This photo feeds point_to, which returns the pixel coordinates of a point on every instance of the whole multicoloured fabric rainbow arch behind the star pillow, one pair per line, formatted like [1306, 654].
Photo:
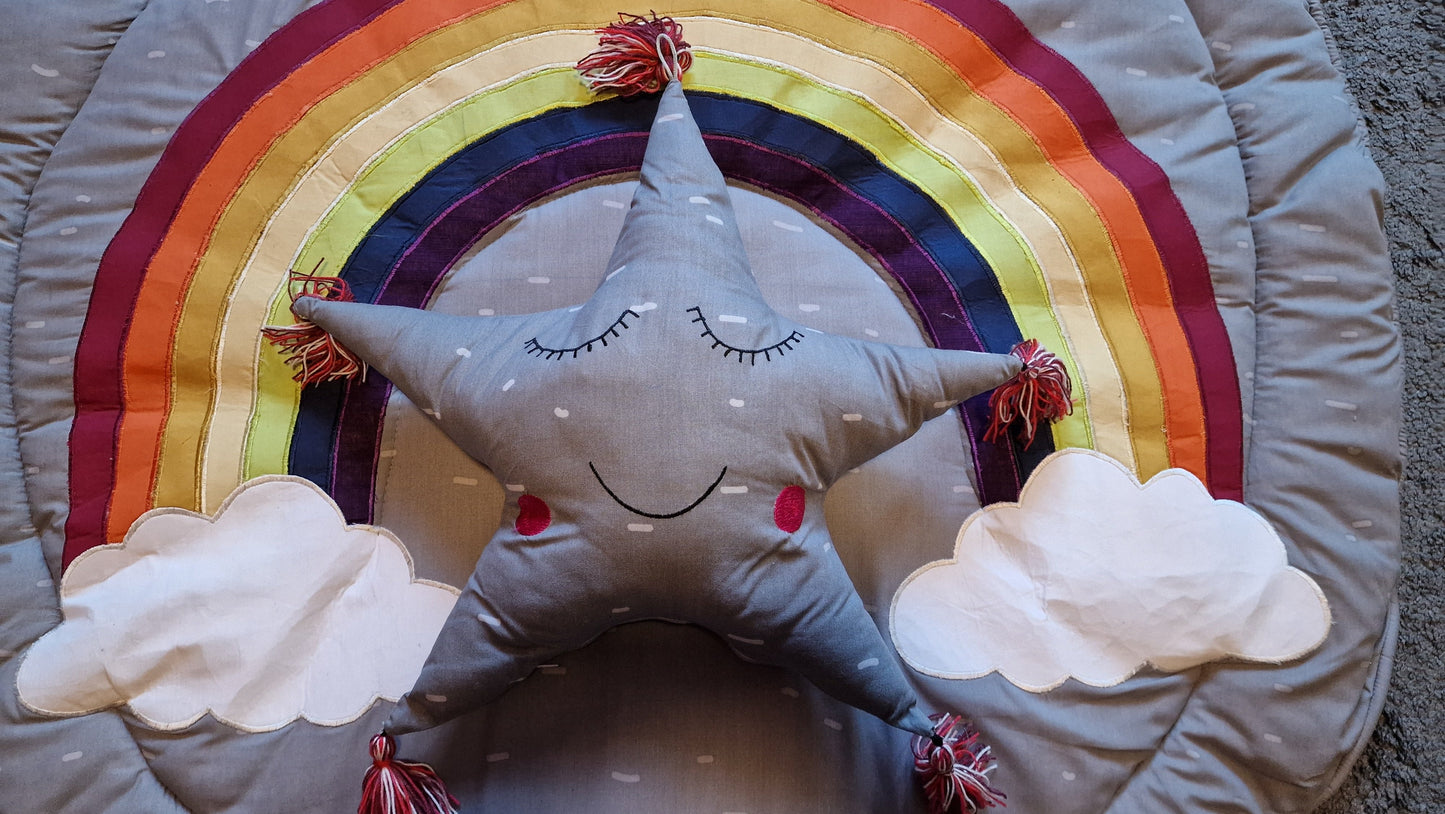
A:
[387, 137]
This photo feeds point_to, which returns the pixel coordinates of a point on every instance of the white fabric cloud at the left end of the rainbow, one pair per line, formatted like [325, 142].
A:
[271, 612]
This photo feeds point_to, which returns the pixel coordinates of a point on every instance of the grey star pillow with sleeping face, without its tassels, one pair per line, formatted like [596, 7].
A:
[676, 439]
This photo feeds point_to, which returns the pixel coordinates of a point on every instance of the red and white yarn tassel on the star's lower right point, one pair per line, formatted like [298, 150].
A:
[954, 767]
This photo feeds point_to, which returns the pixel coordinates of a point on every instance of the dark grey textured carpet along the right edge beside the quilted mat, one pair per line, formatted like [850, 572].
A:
[1394, 56]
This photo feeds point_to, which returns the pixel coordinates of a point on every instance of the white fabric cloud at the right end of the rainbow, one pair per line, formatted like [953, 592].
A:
[1093, 576]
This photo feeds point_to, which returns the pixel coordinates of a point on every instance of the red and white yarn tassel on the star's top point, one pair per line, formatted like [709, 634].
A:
[638, 56]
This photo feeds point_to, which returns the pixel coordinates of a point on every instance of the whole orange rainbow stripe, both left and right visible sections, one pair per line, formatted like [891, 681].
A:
[150, 345]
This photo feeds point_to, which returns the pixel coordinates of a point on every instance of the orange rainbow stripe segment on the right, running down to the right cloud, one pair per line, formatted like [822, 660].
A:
[1060, 141]
